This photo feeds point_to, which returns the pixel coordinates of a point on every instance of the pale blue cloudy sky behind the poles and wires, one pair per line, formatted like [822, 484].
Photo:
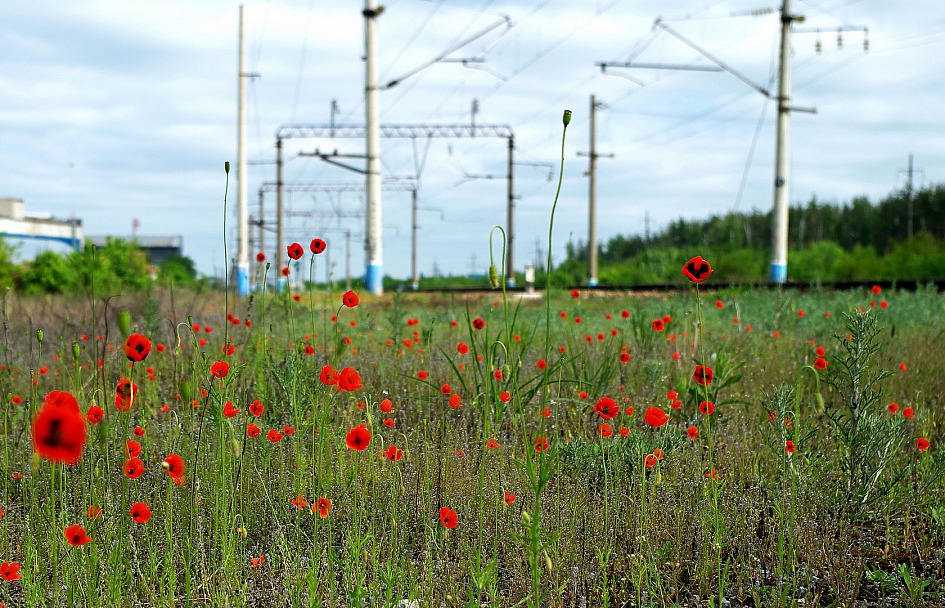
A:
[114, 111]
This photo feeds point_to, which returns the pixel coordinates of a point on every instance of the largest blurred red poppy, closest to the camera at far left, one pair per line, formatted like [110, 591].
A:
[59, 432]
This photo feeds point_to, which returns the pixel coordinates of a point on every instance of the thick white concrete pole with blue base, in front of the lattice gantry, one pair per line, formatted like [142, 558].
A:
[374, 274]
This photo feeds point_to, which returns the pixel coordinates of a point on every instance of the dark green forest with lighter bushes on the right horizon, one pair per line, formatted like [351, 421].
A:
[858, 240]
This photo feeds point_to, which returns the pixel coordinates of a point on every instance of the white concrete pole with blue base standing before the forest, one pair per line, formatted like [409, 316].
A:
[782, 161]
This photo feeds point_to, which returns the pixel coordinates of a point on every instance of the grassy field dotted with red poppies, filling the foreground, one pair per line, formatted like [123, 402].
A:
[521, 463]
